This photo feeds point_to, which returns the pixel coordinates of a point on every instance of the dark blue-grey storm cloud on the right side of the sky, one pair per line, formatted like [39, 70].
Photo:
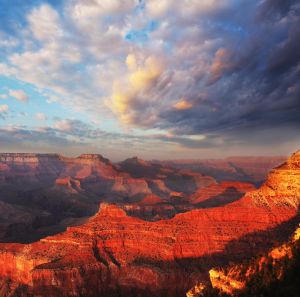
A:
[255, 86]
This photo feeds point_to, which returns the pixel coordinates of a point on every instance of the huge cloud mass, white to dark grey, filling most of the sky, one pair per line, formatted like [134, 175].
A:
[222, 69]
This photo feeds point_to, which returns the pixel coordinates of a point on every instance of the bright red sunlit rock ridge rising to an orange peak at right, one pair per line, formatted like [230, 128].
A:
[114, 254]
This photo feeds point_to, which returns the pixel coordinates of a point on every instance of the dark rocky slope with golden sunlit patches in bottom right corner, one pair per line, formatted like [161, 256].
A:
[275, 273]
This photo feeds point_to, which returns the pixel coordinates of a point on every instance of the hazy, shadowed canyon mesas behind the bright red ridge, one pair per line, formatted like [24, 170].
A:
[42, 194]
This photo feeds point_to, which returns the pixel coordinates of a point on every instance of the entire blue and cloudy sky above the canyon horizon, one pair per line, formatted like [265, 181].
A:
[158, 79]
